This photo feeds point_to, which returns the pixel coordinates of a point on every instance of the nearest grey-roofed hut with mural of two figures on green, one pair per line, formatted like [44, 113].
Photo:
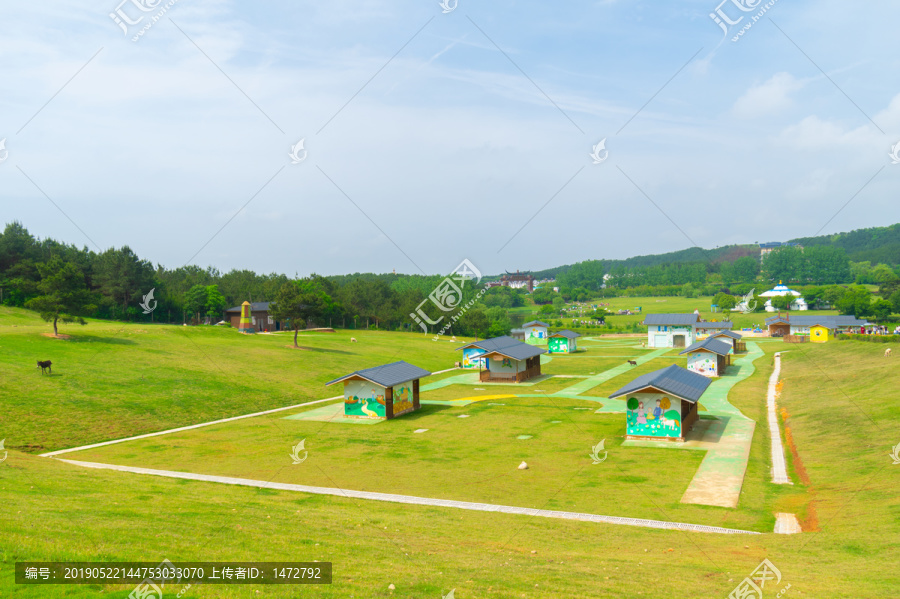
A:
[663, 404]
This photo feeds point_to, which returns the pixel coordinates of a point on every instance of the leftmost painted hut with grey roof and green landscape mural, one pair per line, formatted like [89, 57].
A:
[382, 392]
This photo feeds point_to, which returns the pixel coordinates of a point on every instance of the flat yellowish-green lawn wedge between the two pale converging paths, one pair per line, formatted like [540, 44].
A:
[467, 459]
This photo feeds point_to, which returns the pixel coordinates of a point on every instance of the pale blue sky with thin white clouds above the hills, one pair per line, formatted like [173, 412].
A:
[474, 137]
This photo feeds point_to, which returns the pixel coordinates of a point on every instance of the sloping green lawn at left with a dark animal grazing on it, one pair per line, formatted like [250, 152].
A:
[112, 380]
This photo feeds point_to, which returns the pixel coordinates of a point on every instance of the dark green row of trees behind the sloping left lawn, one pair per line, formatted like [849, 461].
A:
[65, 283]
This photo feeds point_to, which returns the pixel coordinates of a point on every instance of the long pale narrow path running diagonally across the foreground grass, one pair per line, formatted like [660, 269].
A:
[409, 499]
